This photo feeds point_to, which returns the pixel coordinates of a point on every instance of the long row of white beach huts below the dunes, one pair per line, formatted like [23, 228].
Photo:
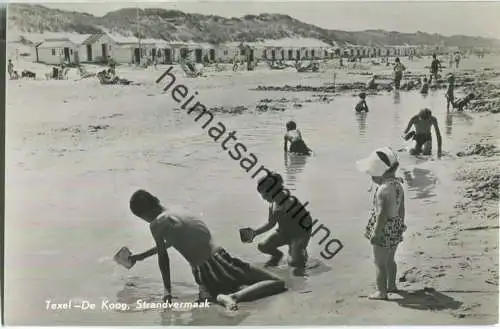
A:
[102, 47]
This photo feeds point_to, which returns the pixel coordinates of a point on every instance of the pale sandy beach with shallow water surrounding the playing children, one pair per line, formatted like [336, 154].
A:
[76, 150]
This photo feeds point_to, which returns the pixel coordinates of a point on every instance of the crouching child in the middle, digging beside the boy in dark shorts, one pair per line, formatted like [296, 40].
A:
[294, 227]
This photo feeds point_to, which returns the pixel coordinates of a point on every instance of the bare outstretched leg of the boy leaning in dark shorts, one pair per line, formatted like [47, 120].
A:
[262, 284]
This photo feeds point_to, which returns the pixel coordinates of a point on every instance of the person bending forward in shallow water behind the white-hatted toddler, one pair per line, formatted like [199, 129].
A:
[422, 135]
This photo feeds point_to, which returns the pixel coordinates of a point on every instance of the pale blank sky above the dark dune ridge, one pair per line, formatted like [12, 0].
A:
[446, 18]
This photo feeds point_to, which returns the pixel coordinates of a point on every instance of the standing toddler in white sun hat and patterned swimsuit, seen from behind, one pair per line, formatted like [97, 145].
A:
[386, 223]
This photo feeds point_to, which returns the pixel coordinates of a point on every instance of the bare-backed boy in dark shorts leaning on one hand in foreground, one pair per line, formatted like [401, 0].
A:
[219, 275]
